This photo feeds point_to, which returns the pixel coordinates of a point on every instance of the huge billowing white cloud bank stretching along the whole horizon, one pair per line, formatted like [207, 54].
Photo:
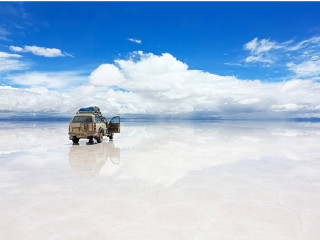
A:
[161, 85]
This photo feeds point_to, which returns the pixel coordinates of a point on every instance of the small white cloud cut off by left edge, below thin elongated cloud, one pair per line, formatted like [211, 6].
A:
[10, 62]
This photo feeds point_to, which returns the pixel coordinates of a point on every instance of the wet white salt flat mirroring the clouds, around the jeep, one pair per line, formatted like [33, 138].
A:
[158, 180]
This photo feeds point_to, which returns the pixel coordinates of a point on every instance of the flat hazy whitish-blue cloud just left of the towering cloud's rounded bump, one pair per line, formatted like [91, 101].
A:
[48, 79]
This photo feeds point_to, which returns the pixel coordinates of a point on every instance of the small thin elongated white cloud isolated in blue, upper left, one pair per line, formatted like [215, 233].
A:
[40, 51]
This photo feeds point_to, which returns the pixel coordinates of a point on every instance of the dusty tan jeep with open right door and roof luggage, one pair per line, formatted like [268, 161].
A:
[89, 123]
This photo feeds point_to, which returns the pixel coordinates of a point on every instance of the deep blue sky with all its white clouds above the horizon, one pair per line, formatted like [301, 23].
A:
[160, 59]
